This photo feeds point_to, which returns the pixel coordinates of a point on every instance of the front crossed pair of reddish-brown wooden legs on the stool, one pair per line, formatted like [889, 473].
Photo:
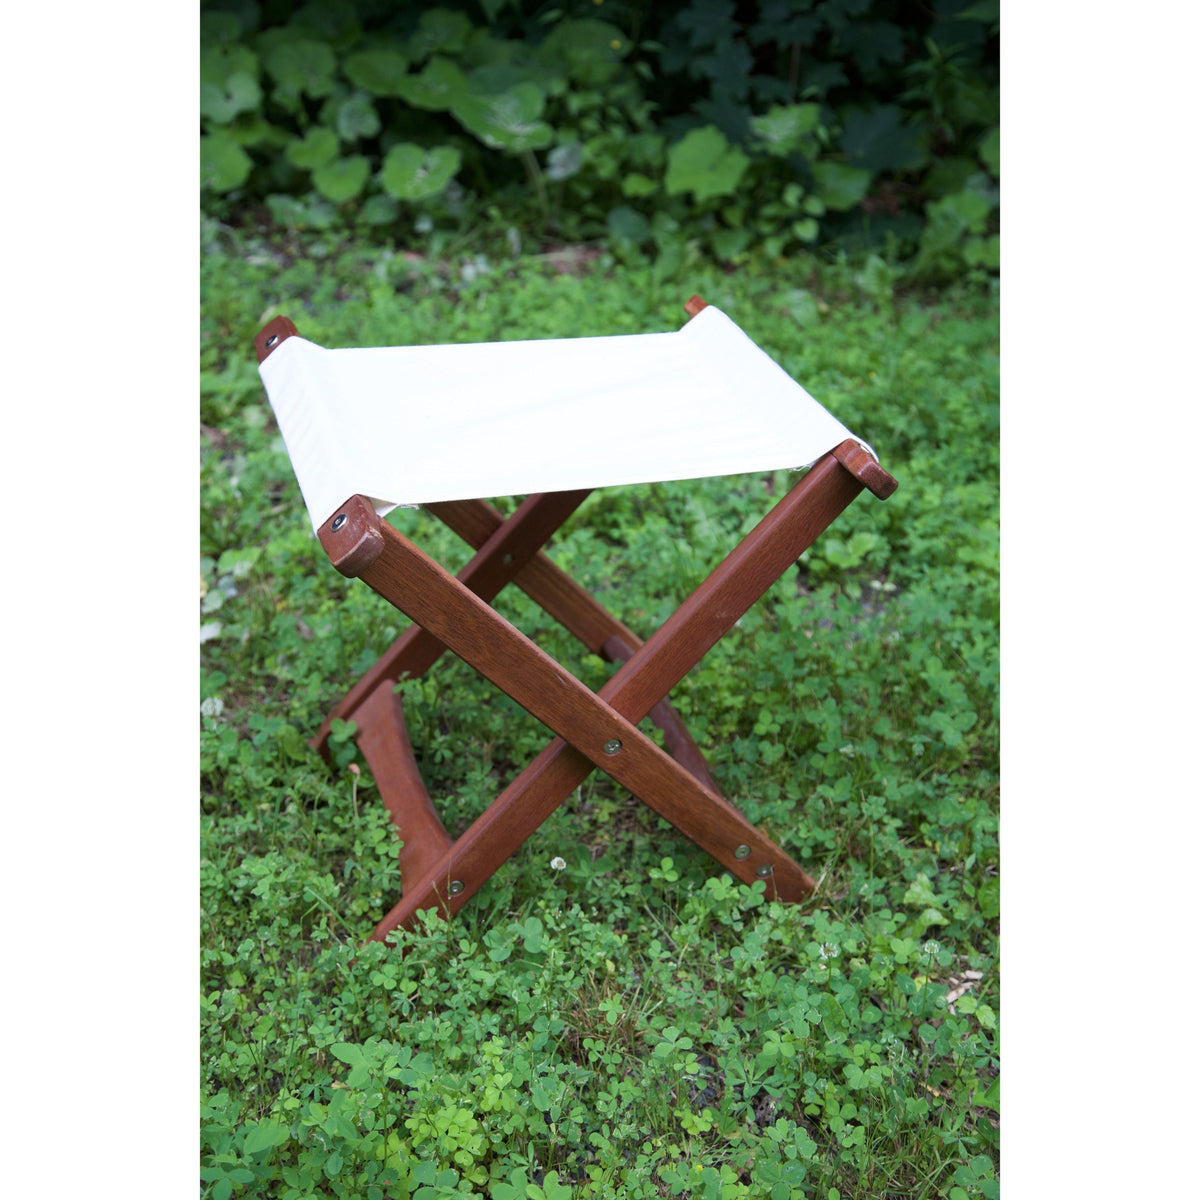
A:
[596, 730]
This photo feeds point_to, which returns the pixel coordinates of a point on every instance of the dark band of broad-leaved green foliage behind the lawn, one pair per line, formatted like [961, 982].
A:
[735, 128]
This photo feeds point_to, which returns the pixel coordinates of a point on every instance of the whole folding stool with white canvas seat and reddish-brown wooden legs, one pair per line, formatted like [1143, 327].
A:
[439, 427]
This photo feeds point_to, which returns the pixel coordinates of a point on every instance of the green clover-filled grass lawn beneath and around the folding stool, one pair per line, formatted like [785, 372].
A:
[634, 1024]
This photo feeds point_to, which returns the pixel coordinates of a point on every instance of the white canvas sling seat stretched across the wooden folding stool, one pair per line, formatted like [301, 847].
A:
[422, 424]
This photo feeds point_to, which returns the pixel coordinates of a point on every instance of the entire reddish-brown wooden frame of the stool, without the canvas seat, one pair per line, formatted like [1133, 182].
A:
[592, 729]
